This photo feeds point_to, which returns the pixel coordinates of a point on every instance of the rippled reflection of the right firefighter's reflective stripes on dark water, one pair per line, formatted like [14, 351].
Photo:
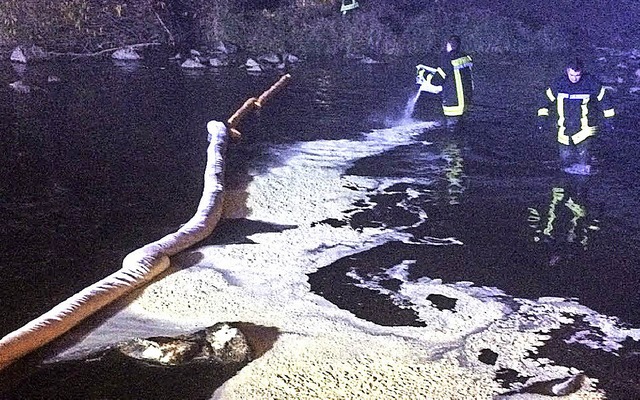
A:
[565, 211]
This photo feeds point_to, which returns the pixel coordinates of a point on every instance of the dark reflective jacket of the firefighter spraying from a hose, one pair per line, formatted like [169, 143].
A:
[454, 75]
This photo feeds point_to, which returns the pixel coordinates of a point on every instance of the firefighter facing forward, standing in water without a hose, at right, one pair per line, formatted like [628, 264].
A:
[581, 104]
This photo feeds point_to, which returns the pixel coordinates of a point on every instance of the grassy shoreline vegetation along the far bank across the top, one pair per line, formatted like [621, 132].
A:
[312, 28]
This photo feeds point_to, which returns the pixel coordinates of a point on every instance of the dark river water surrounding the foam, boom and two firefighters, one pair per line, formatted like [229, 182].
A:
[110, 157]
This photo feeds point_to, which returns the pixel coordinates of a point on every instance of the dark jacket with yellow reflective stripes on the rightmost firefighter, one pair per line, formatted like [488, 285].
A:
[579, 107]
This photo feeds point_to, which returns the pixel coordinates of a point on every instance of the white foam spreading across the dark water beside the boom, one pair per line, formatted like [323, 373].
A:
[325, 351]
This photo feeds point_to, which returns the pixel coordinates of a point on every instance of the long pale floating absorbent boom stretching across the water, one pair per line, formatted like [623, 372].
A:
[144, 264]
